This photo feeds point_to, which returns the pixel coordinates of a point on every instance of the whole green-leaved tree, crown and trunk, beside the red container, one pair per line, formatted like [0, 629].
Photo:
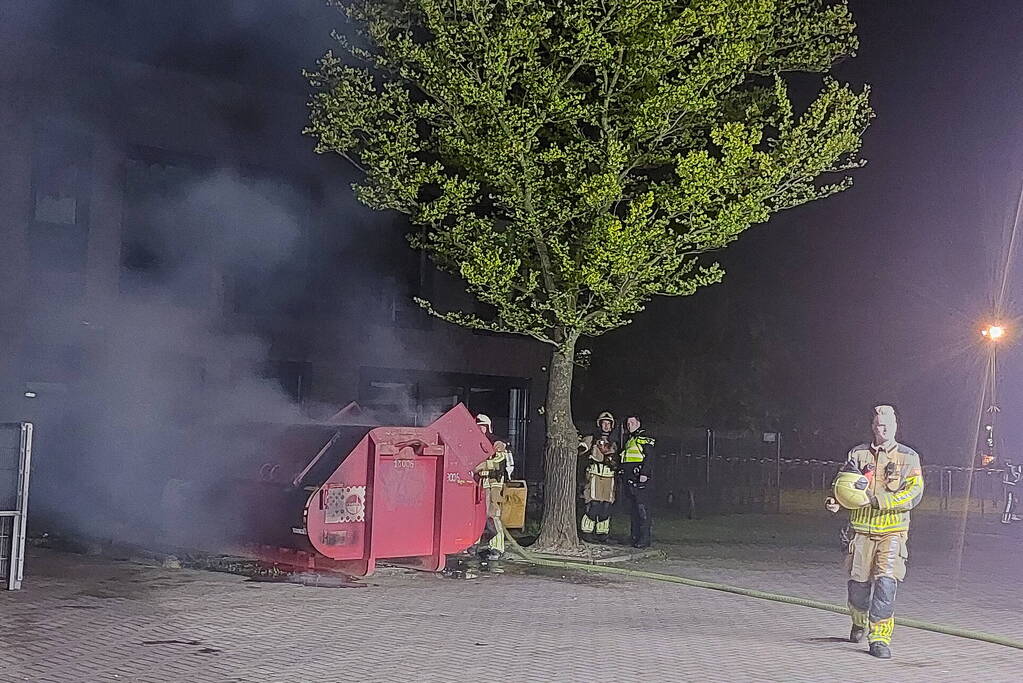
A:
[570, 160]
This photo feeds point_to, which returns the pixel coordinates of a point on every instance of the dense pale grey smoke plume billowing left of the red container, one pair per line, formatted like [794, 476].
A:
[167, 368]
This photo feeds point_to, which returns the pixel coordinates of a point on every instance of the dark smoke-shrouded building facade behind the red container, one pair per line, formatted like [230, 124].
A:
[175, 255]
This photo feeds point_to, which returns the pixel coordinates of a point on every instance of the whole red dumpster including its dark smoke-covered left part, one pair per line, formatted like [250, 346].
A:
[334, 495]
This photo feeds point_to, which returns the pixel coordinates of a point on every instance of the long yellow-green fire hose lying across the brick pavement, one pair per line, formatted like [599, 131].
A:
[970, 634]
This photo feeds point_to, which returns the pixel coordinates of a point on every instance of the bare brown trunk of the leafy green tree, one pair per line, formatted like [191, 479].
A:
[558, 531]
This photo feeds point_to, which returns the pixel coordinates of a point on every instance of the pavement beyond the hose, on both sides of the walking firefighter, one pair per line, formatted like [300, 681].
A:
[773, 559]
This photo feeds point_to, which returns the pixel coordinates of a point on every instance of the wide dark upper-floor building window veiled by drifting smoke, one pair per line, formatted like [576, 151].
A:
[189, 222]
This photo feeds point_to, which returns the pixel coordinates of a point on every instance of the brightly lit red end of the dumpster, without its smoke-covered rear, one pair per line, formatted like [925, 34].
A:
[405, 494]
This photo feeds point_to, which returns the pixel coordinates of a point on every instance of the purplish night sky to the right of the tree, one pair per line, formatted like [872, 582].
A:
[878, 295]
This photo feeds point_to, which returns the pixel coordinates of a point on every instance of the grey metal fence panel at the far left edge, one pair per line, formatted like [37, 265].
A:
[16, 464]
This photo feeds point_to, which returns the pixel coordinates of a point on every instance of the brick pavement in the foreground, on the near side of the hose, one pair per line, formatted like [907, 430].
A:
[83, 619]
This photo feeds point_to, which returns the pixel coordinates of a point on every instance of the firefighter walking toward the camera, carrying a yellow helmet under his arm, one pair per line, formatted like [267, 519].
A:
[881, 482]
